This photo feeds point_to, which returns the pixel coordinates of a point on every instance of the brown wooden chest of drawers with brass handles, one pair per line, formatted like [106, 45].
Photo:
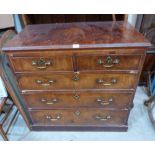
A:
[77, 76]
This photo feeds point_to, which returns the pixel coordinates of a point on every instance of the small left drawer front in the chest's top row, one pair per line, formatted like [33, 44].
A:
[51, 63]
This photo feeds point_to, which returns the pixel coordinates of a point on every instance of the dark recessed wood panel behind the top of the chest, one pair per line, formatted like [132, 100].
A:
[69, 18]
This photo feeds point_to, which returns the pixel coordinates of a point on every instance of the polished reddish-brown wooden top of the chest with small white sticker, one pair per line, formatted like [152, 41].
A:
[77, 35]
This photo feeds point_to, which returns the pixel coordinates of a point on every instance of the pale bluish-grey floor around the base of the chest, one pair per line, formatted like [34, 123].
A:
[140, 128]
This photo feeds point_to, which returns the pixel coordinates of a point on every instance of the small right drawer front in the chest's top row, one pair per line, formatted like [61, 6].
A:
[108, 62]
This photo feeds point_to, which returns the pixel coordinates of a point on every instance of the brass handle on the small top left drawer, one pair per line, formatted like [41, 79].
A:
[41, 63]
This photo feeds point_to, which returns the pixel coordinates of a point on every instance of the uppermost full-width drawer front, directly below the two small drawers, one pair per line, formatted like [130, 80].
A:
[77, 81]
